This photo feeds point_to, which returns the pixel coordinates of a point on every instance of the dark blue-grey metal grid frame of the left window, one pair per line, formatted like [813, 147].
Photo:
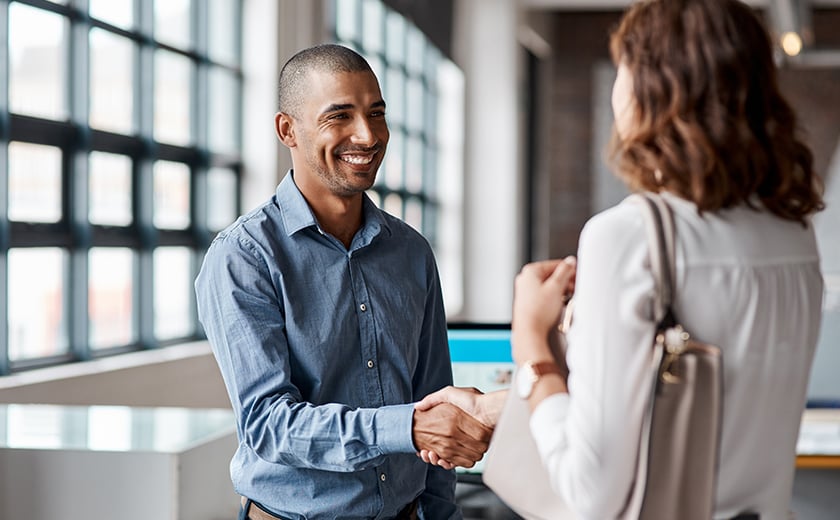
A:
[74, 233]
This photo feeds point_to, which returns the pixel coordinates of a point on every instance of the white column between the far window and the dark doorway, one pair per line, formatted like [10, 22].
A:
[487, 50]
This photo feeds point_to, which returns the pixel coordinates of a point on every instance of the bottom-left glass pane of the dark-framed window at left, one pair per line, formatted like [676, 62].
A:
[36, 295]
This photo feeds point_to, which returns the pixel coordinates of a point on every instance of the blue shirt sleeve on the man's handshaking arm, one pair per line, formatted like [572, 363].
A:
[239, 310]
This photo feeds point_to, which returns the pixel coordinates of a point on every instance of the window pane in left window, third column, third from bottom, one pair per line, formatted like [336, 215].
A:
[172, 98]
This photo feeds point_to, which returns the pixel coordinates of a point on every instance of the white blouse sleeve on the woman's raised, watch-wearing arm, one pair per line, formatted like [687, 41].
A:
[589, 438]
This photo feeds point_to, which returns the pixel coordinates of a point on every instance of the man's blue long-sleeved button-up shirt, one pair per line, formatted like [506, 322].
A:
[323, 350]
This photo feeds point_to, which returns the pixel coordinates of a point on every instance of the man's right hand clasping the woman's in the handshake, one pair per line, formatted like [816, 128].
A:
[451, 433]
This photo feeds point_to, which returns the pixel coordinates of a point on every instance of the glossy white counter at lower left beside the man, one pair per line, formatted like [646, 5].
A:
[82, 462]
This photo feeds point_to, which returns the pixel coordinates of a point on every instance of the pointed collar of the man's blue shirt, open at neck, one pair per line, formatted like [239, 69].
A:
[297, 214]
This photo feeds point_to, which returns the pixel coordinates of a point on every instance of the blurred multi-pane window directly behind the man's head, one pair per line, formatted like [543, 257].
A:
[422, 176]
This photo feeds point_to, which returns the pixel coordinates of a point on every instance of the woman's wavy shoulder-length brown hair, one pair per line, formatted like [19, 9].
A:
[708, 111]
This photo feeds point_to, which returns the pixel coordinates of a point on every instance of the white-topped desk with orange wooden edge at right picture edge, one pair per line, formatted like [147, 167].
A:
[819, 439]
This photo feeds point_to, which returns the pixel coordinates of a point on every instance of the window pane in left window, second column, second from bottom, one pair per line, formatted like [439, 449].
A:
[110, 189]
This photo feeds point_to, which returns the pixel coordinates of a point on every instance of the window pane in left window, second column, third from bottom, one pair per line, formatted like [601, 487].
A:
[111, 82]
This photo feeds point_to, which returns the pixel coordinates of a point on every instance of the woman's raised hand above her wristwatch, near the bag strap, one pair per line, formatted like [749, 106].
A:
[541, 291]
